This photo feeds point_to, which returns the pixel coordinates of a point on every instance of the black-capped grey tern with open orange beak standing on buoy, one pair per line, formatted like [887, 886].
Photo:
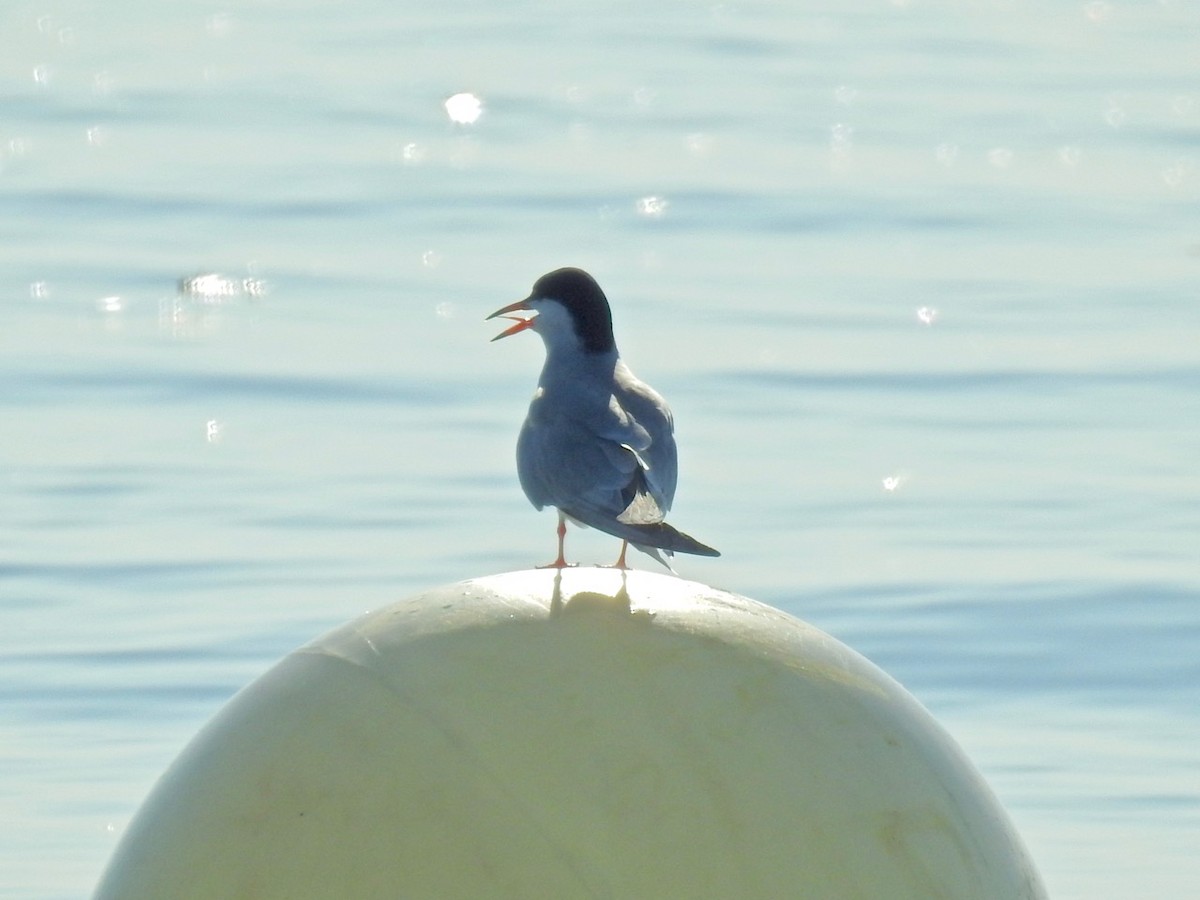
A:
[598, 443]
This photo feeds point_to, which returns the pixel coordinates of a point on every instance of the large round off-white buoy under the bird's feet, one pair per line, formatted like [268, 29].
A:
[573, 735]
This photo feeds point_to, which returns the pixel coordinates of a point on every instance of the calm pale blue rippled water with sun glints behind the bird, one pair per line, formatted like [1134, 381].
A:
[920, 280]
